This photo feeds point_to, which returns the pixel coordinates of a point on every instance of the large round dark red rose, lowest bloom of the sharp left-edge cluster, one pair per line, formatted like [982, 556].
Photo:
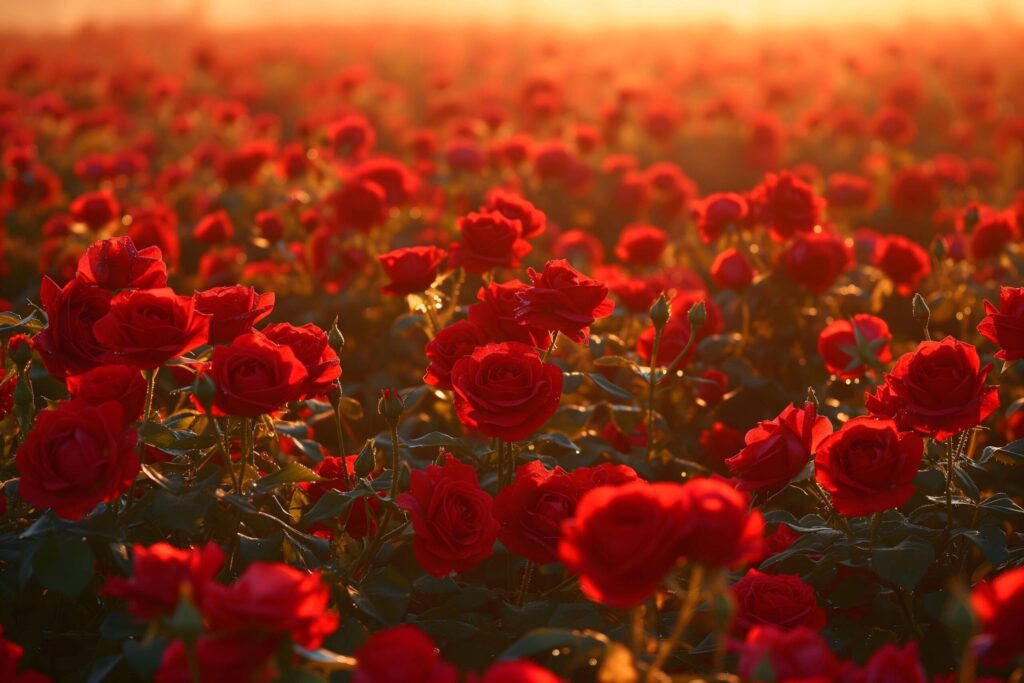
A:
[76, 457]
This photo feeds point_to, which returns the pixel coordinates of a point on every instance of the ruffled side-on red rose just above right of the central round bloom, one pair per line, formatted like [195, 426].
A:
[565, 301]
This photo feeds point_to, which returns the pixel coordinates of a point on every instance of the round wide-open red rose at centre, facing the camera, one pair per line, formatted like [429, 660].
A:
[505, 391]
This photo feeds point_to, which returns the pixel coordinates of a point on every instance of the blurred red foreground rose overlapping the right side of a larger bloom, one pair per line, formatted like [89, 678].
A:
[726, 532]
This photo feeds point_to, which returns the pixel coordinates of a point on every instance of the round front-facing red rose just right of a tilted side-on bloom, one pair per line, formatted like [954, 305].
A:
[869, 466]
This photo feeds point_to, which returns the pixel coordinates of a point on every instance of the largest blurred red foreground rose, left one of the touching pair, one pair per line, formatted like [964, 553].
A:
[623, 541]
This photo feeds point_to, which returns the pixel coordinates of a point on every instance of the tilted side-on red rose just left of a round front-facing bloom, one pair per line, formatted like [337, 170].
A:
[778, 450]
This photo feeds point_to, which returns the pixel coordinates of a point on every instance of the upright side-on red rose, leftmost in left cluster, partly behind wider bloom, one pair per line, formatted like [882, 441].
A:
[69, 345]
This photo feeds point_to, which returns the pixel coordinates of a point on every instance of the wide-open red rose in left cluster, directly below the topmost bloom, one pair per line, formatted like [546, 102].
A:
[148, 328]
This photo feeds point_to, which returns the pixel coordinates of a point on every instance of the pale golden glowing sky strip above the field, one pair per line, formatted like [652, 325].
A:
[73, 15]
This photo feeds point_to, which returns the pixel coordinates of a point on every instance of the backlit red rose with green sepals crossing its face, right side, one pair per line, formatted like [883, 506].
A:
[844, 346]
